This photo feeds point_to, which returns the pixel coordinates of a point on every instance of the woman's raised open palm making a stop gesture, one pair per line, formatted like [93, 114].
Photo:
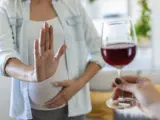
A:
[45, 61]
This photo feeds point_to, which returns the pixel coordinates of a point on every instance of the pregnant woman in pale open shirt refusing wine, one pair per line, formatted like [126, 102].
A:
[51, 50]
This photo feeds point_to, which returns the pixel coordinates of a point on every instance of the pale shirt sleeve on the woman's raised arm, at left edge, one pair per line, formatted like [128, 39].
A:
[7, 45]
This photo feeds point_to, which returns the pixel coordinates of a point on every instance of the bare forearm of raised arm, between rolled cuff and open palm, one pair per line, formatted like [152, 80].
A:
[15, 68]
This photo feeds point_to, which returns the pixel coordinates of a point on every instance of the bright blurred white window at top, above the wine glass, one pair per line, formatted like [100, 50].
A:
[107, 8]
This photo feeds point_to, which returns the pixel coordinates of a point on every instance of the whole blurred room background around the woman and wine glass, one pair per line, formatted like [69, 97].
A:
[145, 16]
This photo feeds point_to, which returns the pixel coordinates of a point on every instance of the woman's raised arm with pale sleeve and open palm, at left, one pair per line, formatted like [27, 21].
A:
[45, 62]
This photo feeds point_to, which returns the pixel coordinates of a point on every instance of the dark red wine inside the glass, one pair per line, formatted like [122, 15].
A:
[119, 54]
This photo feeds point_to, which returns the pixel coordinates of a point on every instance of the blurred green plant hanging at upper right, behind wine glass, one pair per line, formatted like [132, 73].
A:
[143, 25]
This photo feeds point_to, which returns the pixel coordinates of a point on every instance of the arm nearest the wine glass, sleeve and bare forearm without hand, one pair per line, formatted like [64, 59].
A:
[93, 42]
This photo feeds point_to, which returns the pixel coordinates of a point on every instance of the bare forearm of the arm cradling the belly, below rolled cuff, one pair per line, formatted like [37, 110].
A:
[90, 72]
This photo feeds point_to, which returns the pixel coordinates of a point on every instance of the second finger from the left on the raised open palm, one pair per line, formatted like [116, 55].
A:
[42, 41]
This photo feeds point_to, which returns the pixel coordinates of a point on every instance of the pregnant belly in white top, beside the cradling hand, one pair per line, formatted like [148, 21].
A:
[40, 93]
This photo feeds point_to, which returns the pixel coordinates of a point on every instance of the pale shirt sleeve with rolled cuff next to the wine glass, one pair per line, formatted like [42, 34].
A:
[92, 38]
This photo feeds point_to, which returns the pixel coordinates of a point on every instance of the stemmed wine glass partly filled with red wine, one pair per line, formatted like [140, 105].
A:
[118, 48]
